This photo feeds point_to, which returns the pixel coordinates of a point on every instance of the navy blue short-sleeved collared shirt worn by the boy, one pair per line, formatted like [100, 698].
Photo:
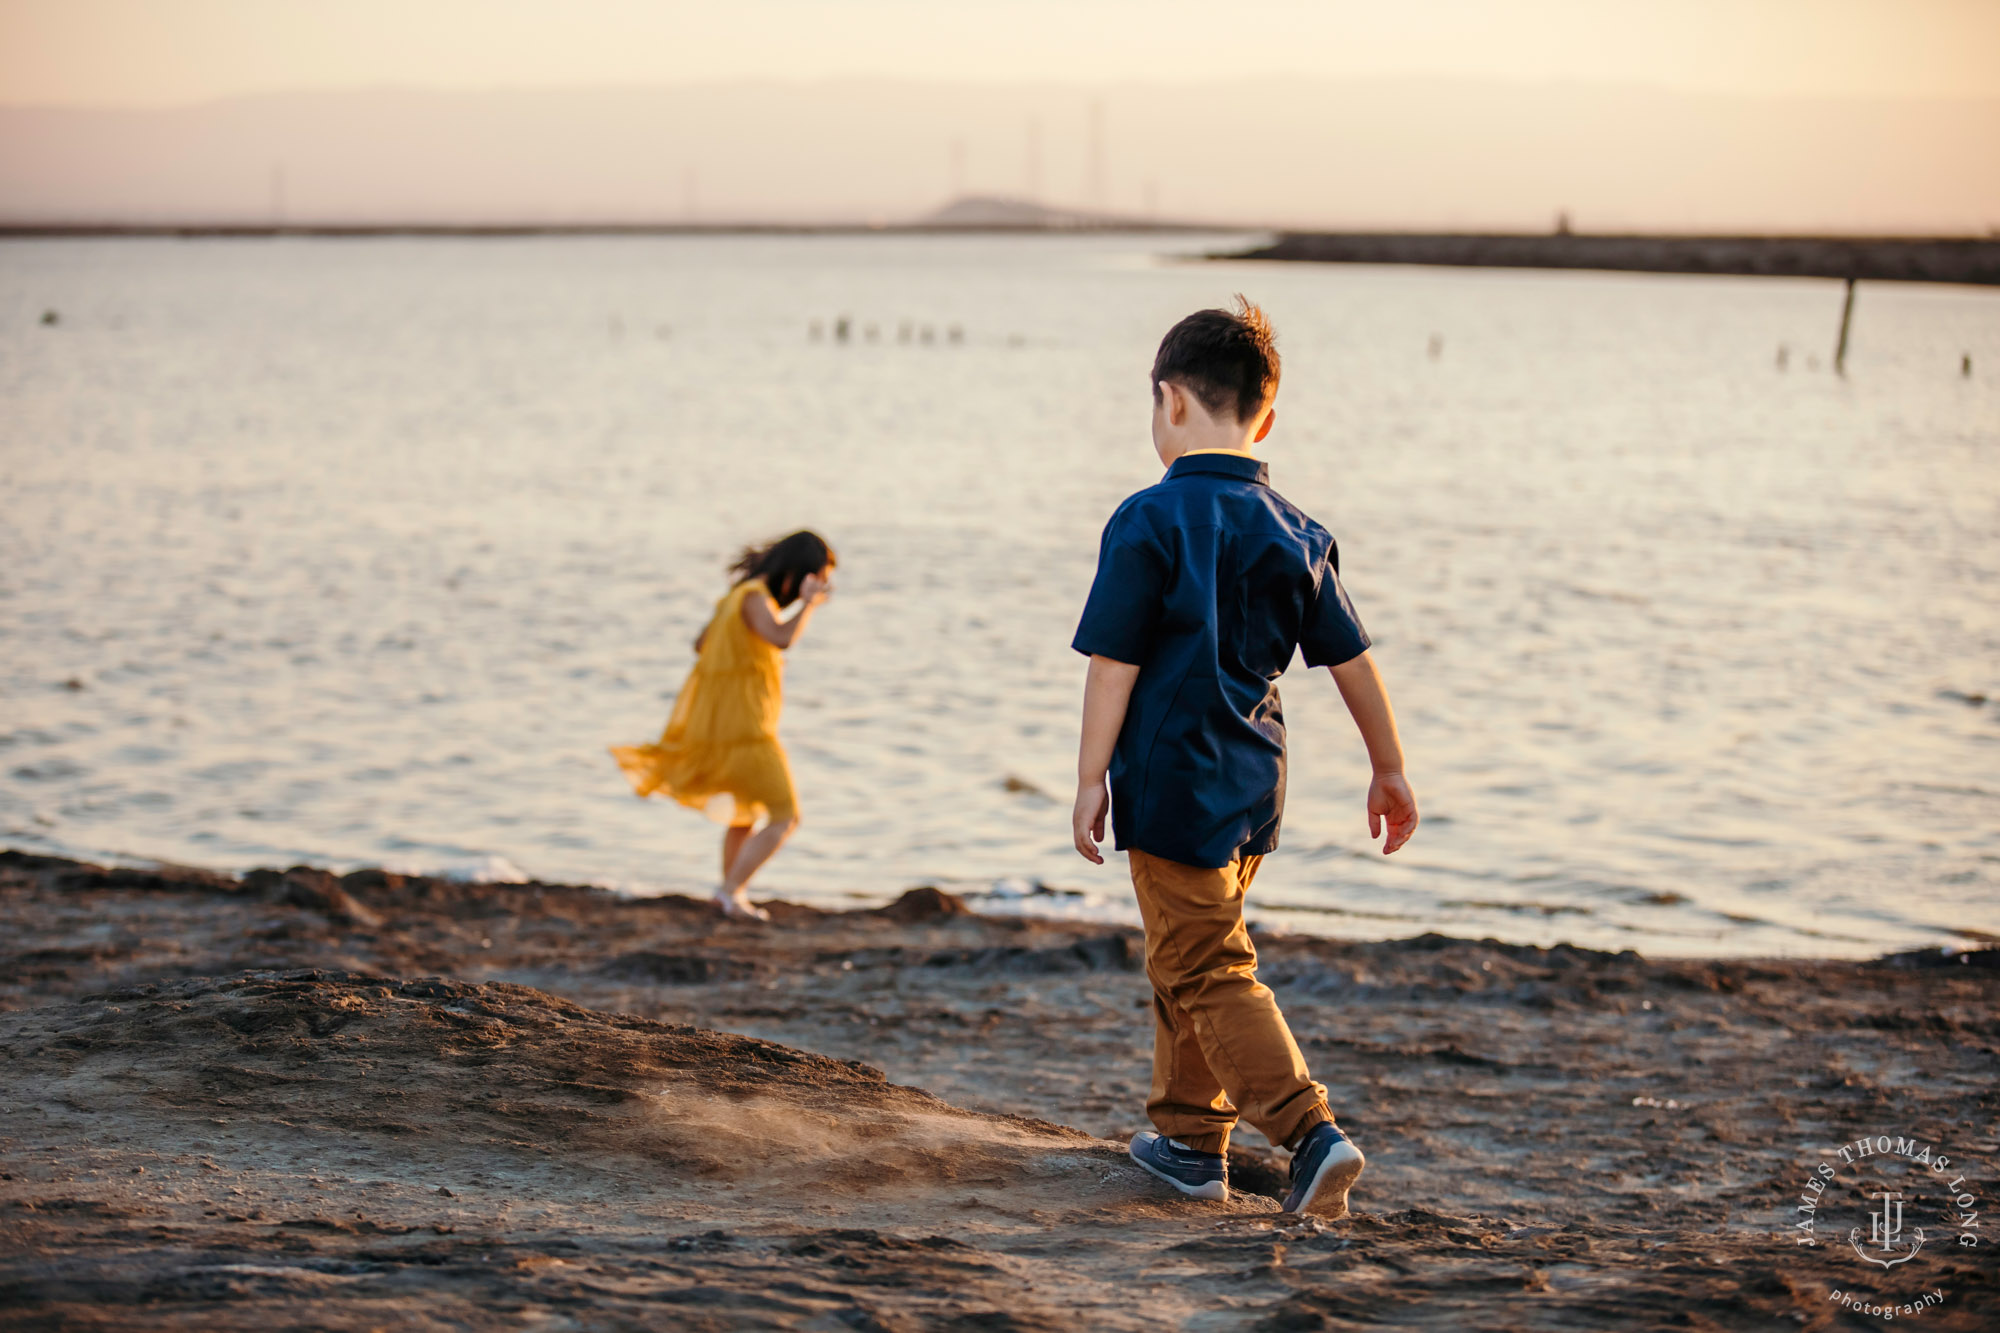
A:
[1207, 583]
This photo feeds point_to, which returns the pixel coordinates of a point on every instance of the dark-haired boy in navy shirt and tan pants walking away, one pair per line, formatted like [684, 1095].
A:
[1207, 583]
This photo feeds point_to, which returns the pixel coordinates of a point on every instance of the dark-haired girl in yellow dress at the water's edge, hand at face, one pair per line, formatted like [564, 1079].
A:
[721, 748]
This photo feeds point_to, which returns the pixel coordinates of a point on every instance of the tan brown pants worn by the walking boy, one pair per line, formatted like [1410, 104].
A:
[1221, 1048]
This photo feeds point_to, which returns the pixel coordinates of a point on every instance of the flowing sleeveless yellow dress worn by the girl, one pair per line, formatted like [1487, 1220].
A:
[721, 748]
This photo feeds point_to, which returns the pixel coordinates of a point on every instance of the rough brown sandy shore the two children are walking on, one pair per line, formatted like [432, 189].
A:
[381, 1102]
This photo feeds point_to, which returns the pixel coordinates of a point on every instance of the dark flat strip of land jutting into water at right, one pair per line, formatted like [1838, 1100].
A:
[1877, 259]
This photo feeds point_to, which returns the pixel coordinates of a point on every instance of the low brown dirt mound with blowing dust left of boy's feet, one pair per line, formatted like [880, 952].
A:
[443, 1066]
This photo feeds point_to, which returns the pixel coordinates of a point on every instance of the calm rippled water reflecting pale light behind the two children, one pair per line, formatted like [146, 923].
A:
[363, 551]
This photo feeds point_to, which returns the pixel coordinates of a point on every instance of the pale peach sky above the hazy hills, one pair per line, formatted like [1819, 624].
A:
[163, 53]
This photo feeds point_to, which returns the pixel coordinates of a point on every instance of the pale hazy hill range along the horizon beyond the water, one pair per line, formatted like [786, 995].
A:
[1285, 153]
